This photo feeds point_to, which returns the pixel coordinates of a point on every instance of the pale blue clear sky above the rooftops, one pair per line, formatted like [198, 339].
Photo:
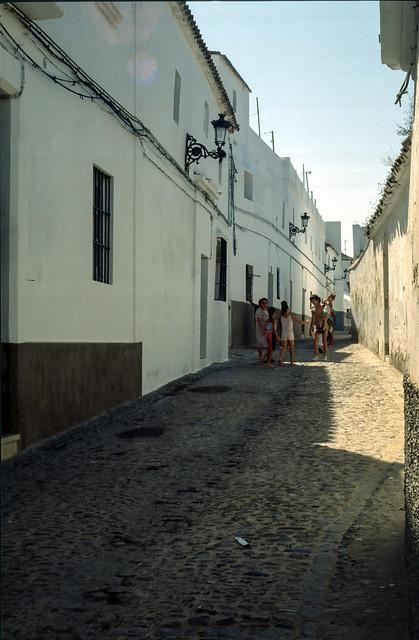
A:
[316, 70]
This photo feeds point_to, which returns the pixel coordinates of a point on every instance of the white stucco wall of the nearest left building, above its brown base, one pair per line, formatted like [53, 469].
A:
[161, 223]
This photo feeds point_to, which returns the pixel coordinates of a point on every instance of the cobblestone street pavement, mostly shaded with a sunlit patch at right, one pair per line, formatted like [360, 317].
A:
[125, 527]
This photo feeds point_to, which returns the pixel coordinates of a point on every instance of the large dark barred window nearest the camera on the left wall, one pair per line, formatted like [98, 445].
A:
[102, 226]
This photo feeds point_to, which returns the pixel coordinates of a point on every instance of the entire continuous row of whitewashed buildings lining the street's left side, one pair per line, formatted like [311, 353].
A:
[122, 267]
